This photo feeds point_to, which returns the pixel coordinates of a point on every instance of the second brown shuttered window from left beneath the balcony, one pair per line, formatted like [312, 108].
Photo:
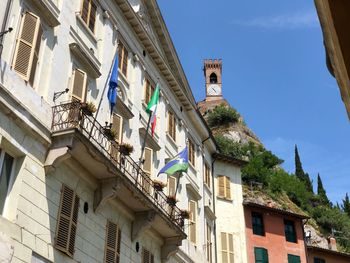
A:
[113, 238]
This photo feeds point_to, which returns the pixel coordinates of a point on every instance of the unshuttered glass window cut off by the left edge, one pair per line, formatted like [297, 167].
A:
[6, 164]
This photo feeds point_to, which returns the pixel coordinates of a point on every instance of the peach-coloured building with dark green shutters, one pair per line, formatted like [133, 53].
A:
[274, 235]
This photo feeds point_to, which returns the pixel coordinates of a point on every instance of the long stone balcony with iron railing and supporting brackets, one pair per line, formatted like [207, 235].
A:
[78, 136]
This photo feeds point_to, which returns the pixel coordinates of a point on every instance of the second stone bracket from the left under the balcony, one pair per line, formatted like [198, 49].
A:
[106, 190]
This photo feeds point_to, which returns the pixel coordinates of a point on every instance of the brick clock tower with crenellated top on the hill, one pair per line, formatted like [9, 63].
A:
[213, 84]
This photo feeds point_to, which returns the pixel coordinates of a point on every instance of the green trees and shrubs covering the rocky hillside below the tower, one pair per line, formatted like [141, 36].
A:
[264, 169]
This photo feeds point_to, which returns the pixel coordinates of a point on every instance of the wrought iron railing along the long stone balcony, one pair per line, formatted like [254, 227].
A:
[72, 116]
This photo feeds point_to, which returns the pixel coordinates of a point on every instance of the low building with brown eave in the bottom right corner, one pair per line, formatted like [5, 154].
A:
[322, 255]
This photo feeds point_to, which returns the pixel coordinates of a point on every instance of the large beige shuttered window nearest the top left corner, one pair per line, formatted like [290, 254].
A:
[27, 47]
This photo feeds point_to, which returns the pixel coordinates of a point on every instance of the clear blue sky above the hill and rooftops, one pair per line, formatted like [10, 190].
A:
[274, 74]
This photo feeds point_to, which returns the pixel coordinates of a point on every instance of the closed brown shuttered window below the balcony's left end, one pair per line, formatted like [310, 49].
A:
[67, 220]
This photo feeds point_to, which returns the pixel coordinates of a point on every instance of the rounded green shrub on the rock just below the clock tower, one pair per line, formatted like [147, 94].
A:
[222, 115]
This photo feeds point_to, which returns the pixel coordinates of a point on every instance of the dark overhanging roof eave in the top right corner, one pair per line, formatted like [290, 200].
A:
[334, 19]
